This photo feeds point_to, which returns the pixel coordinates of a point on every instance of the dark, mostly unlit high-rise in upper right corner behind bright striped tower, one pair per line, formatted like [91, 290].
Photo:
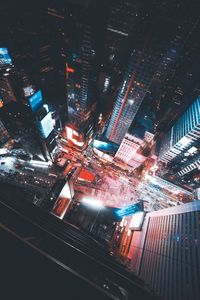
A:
[181, 85]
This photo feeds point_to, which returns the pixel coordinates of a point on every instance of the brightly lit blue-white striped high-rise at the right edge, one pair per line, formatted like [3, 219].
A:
[180, 148]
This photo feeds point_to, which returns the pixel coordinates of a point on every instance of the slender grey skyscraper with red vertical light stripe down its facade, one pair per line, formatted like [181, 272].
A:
[135, 85]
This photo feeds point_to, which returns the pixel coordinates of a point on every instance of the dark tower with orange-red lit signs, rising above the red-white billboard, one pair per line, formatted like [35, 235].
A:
[83, 33]
